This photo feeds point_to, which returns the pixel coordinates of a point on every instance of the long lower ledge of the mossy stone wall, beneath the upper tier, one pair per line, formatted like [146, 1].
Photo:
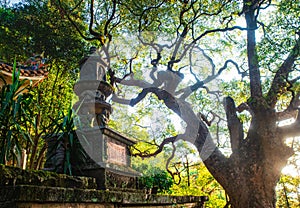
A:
[44, 194]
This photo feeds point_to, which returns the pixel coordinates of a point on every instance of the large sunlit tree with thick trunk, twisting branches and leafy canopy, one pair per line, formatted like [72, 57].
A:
[206, 30]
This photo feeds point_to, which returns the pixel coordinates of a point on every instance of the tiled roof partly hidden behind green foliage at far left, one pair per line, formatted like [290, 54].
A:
[24, 71]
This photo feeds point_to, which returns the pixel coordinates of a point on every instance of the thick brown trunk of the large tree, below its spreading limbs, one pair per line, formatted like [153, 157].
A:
[250, 175]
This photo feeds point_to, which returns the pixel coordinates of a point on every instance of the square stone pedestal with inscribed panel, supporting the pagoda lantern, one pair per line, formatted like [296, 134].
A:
[109, 160]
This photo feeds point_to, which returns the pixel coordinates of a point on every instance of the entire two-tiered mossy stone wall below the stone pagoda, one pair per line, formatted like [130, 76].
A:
[41, 189]
